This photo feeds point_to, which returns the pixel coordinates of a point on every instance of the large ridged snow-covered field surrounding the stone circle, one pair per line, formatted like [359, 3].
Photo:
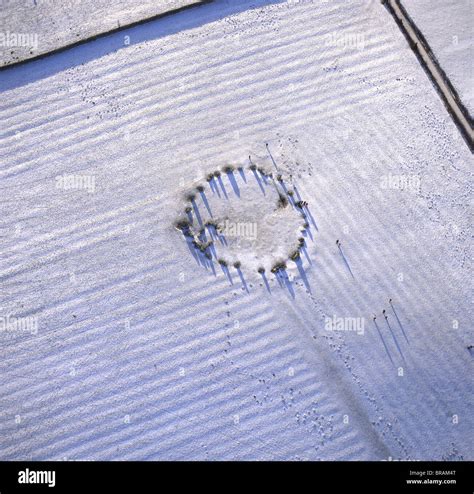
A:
[121, 341]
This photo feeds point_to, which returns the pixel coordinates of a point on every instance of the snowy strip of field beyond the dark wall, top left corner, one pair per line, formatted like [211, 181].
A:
[29, 28]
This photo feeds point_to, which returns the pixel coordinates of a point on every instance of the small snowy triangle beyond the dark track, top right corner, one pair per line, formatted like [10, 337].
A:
[448, 27]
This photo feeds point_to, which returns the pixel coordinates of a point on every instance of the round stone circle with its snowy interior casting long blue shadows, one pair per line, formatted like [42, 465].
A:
[244, 215]
